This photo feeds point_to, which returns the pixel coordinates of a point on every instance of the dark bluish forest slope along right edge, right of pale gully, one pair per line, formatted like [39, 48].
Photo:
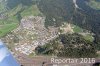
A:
[89, 19]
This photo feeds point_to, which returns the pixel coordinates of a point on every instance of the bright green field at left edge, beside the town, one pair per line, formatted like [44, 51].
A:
[7, 25]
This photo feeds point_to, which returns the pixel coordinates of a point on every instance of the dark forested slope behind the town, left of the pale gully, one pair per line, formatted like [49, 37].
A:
[56, 11]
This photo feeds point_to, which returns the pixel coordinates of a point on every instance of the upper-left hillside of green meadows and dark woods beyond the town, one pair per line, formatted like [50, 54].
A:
[12, 11]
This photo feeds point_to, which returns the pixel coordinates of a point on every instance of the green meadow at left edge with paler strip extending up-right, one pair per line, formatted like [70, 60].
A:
[9, 23]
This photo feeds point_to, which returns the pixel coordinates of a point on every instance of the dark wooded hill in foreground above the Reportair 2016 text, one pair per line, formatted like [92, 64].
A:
[68, 45]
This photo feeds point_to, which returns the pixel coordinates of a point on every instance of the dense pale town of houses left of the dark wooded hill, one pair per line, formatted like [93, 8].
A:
[30, 34]
